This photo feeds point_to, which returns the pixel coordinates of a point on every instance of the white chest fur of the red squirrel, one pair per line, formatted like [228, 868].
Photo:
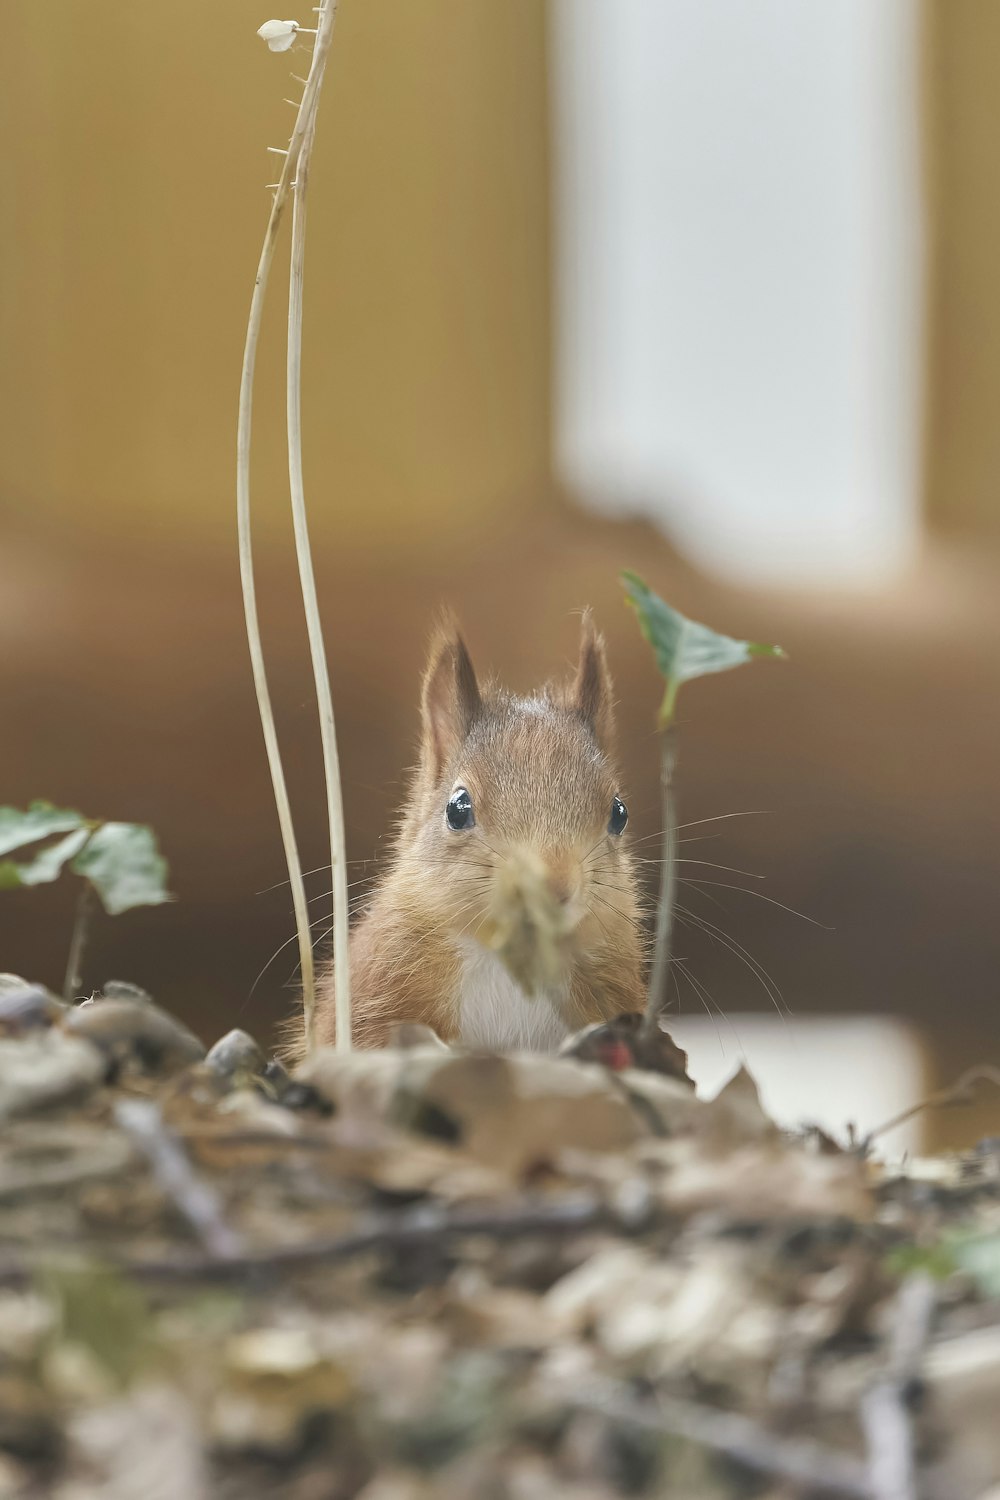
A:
[496, 1013]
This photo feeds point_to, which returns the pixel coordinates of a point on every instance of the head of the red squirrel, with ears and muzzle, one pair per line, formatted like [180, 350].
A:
[518, 824]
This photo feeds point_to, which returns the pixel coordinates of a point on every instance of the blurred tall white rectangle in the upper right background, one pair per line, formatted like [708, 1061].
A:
[738, 275]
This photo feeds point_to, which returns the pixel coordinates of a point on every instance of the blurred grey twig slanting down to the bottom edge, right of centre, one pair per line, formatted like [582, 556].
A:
[743, 1441]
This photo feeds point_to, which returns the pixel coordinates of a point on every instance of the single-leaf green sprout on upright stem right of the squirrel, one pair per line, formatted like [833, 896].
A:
[684, 650]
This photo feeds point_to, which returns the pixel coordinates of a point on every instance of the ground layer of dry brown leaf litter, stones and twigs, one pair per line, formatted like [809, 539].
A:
[422, 1273]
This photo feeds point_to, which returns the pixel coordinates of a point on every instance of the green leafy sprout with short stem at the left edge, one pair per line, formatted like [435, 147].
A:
[121, 866]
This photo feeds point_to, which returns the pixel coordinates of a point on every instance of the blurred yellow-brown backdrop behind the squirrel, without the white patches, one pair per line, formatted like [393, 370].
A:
[134, 205]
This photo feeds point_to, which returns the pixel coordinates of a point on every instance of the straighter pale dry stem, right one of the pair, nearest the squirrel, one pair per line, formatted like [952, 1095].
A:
[320, 671]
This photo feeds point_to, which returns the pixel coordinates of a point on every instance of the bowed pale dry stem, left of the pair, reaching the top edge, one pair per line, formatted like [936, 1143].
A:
[290, 166]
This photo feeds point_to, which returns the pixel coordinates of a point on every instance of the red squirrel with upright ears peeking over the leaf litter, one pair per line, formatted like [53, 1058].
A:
[510, 871]
